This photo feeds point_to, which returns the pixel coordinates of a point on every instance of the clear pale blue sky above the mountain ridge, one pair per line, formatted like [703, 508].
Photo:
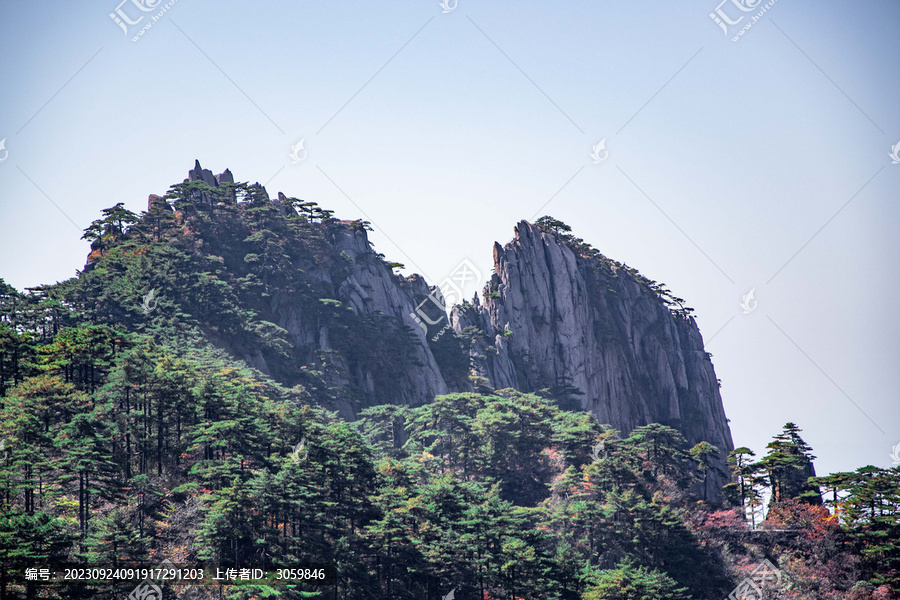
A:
[759, 164]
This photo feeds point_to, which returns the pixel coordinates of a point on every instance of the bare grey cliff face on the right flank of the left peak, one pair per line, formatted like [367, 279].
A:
[366, 286]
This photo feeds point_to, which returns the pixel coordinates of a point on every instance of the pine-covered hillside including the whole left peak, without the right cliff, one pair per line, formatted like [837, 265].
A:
[211, 390]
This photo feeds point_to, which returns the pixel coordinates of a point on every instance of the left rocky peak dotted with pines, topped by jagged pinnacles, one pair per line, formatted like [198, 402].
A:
[309, 300]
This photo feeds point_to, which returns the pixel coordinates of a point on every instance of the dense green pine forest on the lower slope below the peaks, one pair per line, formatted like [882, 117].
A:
[194, 457]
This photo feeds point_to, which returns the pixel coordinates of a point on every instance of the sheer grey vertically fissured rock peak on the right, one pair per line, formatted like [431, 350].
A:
[580, 321]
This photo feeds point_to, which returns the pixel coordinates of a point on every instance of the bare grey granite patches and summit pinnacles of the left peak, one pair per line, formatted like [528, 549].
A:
[345, 269]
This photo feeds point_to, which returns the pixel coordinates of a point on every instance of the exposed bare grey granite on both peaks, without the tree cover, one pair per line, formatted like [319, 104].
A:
[556, 315]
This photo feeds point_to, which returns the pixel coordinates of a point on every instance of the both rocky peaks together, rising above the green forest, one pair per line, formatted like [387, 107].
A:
[556, 314]
